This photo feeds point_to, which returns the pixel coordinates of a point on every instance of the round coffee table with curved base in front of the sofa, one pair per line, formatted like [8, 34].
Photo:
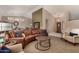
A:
[43, 43]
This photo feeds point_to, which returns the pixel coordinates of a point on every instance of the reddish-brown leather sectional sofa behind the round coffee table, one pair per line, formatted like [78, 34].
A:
[30, 35]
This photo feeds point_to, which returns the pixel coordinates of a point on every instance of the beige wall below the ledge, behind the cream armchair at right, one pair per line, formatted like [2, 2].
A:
[69, 25]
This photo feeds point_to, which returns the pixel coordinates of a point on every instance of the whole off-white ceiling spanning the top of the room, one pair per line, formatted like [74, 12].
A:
[26, 10]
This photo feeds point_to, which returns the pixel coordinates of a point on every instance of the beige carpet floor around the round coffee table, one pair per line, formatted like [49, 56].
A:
[57, 46]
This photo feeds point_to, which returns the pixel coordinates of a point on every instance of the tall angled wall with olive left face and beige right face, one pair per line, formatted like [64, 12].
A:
[41, 16]
